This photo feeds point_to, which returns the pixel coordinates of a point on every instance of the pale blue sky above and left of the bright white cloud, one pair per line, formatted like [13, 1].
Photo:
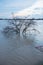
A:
[7, 7]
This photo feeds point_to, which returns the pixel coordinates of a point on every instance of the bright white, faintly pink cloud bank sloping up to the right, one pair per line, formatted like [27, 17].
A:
[31, 10]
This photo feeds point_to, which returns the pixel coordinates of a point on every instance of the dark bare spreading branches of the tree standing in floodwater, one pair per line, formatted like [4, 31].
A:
[16, 25]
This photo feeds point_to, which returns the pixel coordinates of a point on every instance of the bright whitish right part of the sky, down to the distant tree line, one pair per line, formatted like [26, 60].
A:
[36, 9]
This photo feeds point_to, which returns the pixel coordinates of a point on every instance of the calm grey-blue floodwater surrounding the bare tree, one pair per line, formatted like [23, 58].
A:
[15, 50]
